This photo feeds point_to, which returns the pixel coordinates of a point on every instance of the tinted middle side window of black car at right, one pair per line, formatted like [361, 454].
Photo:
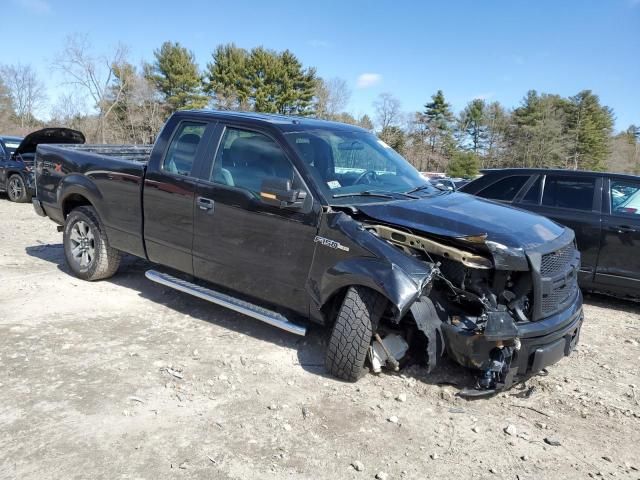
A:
[567, 191]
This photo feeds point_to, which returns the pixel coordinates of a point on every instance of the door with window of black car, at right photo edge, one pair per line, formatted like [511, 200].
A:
[619, 261]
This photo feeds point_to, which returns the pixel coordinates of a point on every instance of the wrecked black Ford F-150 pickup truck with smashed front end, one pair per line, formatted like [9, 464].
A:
[287, 219]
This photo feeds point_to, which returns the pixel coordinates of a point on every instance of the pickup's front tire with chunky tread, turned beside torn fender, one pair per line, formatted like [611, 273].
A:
[352, 332]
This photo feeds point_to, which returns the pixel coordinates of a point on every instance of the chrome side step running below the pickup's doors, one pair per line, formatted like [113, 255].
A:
[227, 301]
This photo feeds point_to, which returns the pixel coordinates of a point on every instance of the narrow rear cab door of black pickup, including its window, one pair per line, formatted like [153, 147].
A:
[169, 193]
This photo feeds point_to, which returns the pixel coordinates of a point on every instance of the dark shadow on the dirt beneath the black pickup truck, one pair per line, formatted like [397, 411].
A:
[310, 350]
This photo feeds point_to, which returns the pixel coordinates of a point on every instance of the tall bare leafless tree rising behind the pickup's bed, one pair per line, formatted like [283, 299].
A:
[94, 74]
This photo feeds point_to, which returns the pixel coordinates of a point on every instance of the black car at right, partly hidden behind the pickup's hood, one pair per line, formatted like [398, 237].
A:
[602, 208]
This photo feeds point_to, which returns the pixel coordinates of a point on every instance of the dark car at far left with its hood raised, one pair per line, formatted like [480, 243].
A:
[16, 159]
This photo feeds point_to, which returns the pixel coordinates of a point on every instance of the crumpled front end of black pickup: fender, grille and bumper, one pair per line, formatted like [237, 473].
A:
[469, 296]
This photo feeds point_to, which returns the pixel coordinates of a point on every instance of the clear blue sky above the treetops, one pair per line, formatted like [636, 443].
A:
[494, 50]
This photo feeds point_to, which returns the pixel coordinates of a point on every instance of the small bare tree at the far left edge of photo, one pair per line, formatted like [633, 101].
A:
[26, 91]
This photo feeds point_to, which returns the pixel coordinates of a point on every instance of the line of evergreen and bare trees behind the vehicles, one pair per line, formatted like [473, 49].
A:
[114, 101]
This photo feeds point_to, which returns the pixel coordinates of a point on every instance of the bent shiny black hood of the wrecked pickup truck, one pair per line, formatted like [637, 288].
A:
[460, 215]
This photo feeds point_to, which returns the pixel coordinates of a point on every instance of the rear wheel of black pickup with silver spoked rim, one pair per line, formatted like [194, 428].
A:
[101, 260]
